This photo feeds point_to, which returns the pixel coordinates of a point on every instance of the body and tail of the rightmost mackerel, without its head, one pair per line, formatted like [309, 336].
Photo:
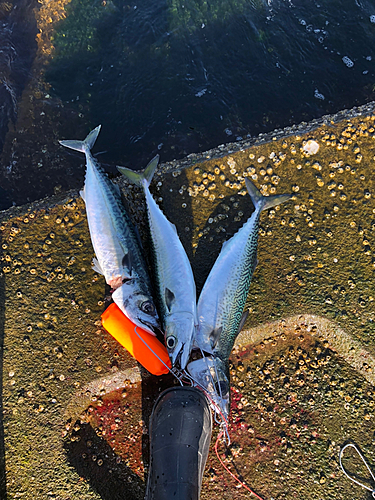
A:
[223, 297]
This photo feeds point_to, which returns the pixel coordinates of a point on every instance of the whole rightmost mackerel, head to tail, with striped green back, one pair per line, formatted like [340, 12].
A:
[221, 304]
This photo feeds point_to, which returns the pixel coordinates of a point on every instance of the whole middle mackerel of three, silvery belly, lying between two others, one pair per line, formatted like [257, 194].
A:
[173, 274]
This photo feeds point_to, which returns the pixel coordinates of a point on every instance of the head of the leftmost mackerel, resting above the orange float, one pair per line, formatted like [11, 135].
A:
[137, 306]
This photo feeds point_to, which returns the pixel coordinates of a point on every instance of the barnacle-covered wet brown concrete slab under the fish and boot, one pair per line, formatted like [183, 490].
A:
[75, 404]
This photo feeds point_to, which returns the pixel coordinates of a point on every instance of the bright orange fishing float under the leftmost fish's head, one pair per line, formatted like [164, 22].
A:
[153, 356]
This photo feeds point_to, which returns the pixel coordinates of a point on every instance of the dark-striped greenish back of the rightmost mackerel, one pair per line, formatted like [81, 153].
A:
[238, 295]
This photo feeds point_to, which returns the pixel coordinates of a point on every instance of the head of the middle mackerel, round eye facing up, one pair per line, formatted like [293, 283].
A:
[179, 333]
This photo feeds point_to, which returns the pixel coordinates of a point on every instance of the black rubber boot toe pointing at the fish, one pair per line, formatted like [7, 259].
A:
[180, 435]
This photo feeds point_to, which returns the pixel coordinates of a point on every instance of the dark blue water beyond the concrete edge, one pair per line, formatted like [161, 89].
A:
[182, 76]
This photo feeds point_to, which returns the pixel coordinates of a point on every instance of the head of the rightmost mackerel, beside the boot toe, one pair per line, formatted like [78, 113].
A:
[212, 375]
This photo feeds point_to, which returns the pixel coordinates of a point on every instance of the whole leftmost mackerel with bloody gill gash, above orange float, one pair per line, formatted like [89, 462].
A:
[119, 256]
